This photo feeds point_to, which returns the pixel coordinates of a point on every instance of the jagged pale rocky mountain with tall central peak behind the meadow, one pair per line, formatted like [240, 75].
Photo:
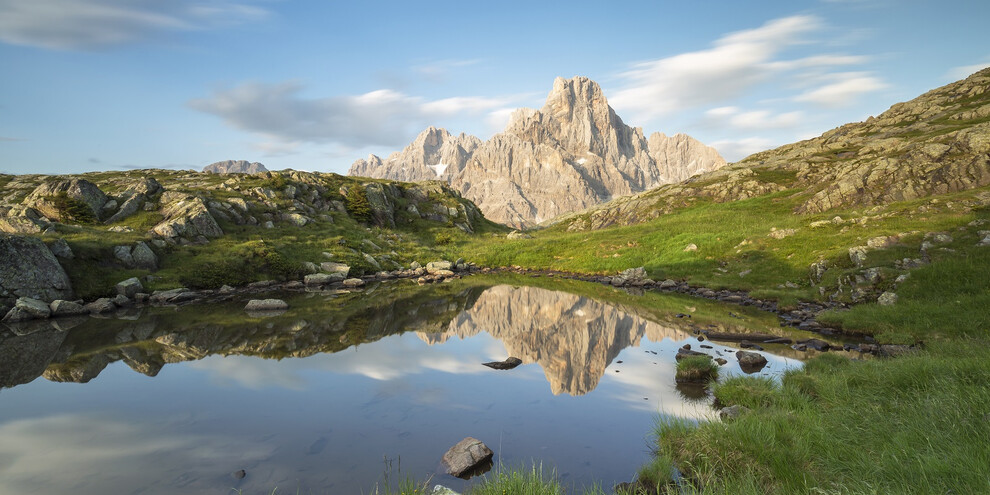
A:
[573, 153]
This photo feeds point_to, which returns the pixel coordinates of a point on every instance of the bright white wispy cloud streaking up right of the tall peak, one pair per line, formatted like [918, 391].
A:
[736, 64]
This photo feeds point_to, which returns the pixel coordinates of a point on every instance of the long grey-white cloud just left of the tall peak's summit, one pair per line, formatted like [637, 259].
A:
[384, 117]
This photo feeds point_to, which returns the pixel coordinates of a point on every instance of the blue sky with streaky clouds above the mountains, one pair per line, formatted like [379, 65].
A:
[89, 85]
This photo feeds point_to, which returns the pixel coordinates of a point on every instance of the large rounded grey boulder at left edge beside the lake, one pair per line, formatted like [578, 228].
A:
[29, 269]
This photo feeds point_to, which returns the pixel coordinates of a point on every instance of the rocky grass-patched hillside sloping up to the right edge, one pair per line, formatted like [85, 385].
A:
[936, 143]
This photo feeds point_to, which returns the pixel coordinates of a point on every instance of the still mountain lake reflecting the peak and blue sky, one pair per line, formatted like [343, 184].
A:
[345, 388]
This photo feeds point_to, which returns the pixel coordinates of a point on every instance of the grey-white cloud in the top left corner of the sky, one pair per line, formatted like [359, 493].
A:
[93, 24]
